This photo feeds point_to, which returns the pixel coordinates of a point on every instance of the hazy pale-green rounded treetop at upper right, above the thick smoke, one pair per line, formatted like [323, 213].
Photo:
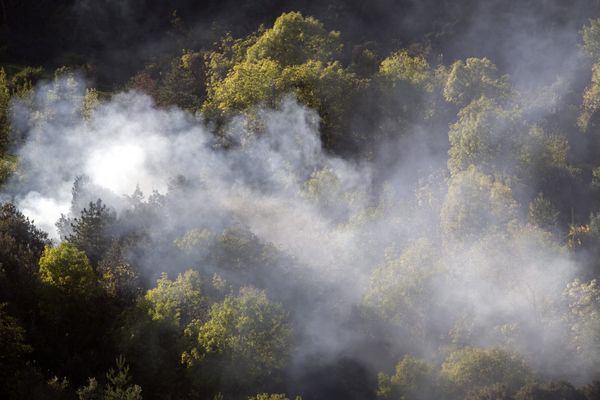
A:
[471, 79]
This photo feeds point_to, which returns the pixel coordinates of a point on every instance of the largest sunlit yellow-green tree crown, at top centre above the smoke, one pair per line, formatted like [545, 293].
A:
[296, 56]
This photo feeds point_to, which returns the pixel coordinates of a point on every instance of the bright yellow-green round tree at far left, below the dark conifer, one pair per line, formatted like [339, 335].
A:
[68, 269]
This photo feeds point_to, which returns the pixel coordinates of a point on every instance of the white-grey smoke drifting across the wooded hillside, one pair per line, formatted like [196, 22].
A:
[370, 238]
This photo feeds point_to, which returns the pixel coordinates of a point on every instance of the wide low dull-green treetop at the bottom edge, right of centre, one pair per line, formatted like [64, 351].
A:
[472, 368]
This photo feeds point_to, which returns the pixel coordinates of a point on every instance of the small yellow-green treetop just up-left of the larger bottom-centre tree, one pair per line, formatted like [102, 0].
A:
[177, 302]
